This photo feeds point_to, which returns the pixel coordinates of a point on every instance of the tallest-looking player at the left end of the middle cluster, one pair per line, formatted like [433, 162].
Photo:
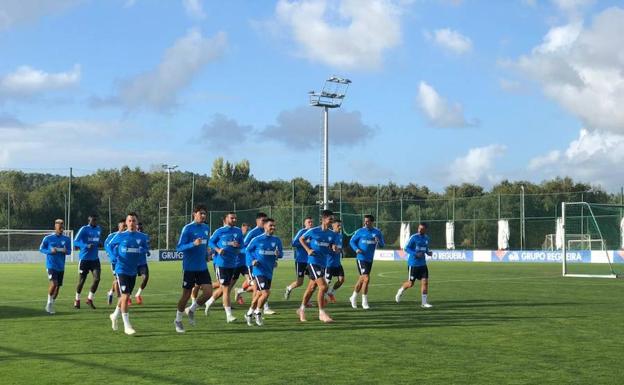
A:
[193, 244]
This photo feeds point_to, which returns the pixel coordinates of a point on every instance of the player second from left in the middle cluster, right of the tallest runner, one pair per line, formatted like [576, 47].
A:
[226, 242]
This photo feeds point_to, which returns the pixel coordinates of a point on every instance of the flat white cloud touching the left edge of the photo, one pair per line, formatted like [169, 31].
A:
[26, 82]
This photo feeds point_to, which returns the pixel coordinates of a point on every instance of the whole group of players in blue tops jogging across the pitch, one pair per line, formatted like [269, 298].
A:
[235, 252]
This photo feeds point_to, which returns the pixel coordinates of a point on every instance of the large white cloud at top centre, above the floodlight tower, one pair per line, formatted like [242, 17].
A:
[350, 34]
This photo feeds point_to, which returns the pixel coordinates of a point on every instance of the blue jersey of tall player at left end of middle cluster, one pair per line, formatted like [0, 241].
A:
[194, 257]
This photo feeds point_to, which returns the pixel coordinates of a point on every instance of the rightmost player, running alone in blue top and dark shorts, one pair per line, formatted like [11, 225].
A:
[417, 248]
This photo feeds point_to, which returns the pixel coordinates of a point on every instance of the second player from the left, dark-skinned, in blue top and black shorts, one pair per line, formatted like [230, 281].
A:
[88, 240]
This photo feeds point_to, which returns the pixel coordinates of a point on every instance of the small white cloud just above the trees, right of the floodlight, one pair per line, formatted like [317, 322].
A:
[477, 166]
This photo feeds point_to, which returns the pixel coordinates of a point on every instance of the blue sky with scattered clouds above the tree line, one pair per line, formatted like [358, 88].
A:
[444, 91]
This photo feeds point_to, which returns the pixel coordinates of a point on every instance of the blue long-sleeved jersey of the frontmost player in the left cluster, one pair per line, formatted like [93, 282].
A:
[130, 247]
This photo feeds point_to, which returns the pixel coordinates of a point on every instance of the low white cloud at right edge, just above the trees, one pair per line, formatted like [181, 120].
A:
[595, 157]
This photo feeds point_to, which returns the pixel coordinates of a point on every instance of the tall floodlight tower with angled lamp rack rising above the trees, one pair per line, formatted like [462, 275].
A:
[332, 95]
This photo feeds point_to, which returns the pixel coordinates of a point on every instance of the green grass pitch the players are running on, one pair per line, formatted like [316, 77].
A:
[492, 323]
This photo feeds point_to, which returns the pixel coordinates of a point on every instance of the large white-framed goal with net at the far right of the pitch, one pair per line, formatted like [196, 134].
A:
[593, 240]
